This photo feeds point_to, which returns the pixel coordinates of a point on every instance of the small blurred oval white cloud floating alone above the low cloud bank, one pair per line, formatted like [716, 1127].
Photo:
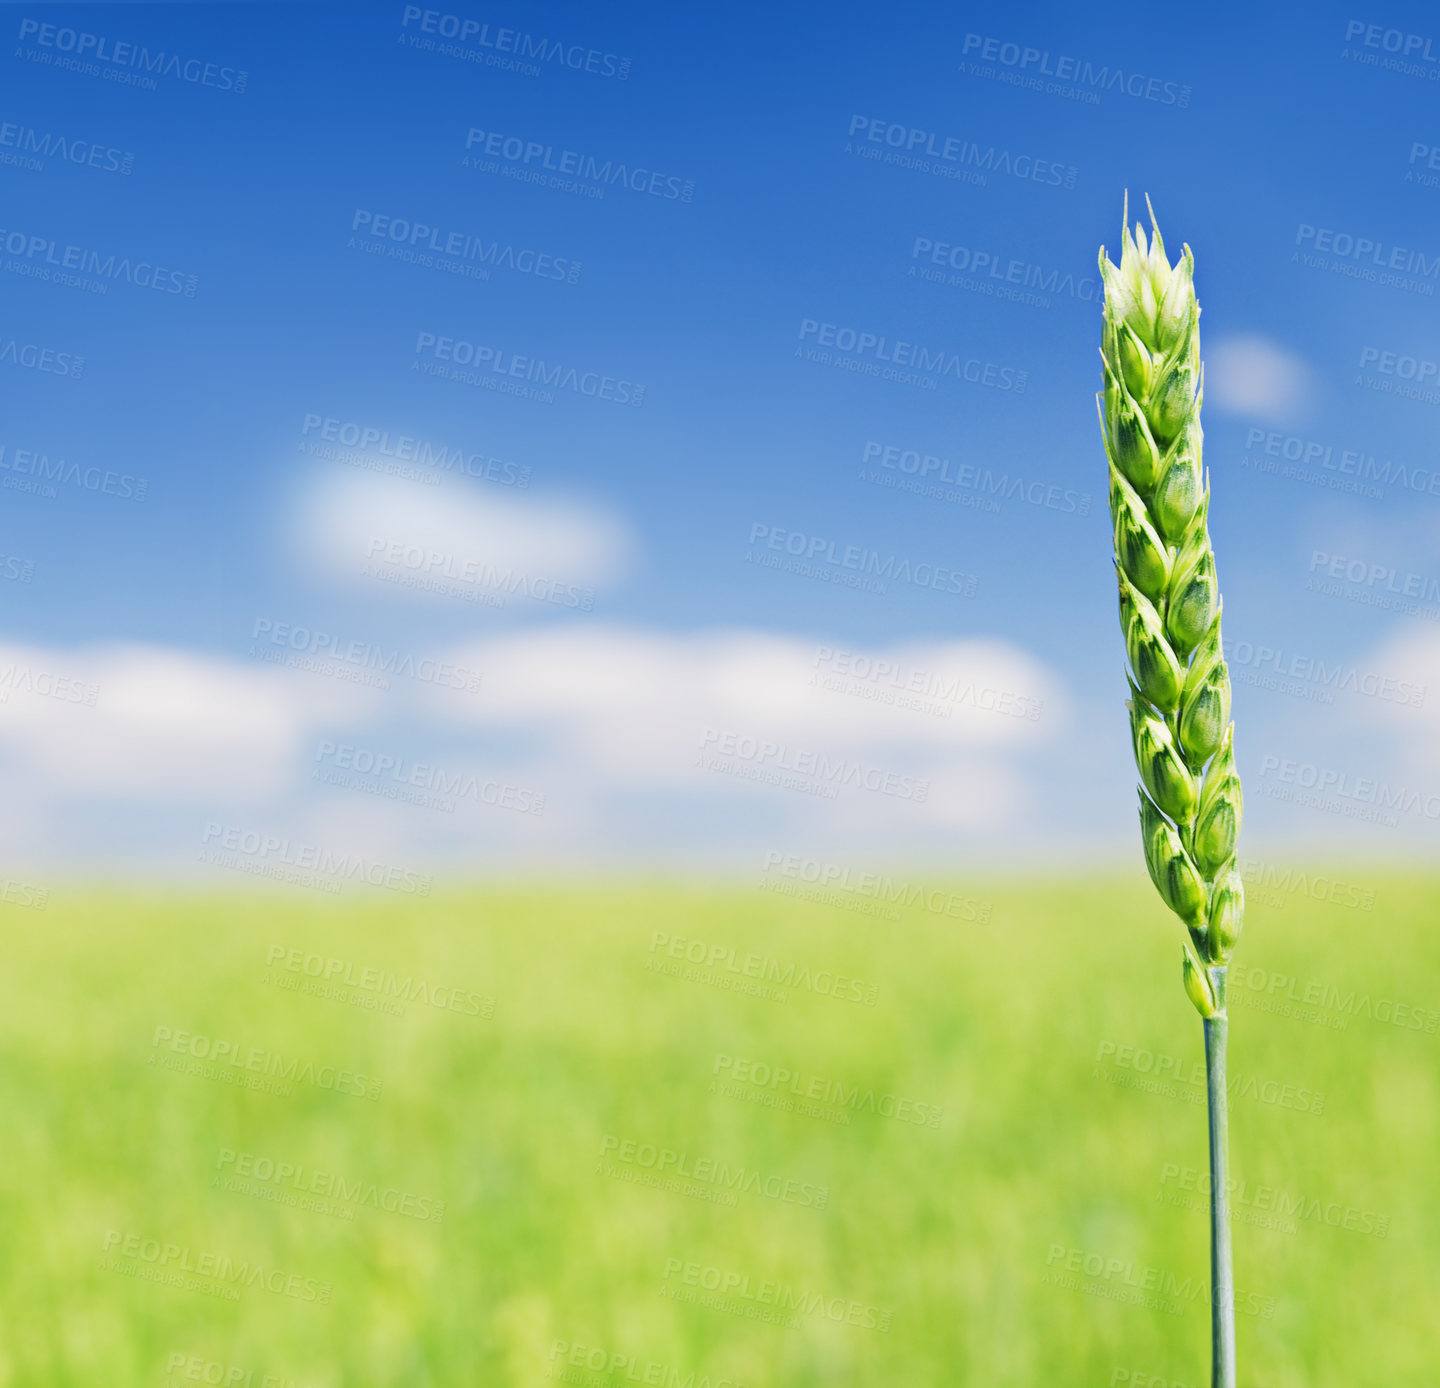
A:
[352, 520]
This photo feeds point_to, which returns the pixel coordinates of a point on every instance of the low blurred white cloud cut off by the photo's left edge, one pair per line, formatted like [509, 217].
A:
[158, 725]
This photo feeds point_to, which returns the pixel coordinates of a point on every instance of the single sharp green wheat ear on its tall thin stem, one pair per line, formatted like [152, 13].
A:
[1180, 685]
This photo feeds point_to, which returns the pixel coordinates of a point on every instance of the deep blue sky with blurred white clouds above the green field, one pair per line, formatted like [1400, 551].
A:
[1278, 145]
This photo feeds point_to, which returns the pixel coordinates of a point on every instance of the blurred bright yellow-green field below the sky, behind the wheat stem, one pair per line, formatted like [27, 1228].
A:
[578, 1158]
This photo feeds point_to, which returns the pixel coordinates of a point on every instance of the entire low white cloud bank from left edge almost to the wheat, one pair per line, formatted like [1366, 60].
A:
[643, 745]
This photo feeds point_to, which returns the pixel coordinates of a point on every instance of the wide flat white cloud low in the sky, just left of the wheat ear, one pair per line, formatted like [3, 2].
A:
[747, 715]
